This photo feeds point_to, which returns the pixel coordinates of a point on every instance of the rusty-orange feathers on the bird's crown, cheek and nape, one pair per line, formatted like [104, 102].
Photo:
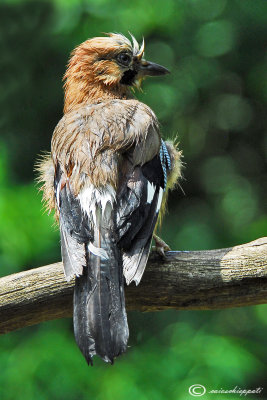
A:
[90, 78]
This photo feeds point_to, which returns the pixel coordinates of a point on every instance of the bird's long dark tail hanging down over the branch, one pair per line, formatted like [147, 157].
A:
[99, 315]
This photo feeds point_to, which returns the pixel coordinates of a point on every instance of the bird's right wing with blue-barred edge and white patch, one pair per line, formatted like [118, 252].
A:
[137, 212]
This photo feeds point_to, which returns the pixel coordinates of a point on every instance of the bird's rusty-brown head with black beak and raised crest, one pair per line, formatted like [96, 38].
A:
[105, 67]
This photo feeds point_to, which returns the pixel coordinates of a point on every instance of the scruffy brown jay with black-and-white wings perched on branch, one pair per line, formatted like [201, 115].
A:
[106, 178]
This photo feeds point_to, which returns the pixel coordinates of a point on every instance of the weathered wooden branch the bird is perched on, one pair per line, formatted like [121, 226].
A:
[185, 280]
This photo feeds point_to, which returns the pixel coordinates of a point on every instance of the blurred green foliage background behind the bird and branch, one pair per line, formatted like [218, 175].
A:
[215, 100]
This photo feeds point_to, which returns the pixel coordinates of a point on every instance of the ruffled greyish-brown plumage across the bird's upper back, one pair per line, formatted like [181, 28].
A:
[94, 148]
